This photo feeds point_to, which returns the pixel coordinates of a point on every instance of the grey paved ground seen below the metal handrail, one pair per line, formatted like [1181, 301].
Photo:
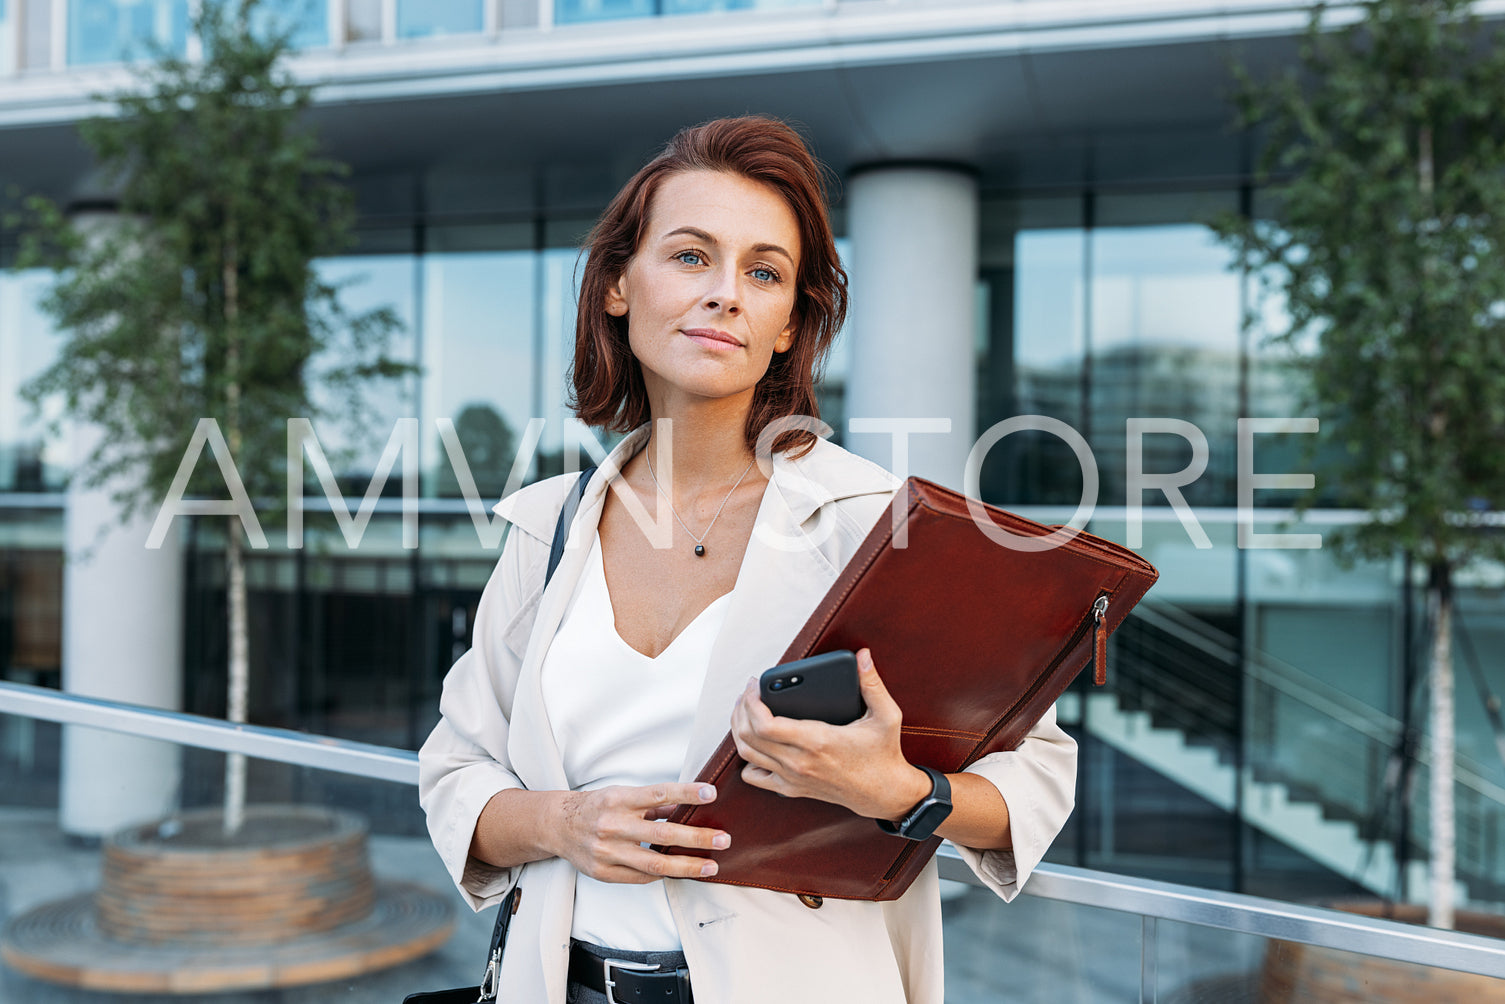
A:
[1027, 952]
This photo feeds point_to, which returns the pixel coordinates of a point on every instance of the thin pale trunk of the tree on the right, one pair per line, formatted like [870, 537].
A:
[1444, 842]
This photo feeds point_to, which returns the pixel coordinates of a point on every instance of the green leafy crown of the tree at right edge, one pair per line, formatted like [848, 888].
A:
[1387, 156]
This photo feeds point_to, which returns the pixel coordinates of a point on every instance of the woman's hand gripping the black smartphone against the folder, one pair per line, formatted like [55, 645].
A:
[859, 765]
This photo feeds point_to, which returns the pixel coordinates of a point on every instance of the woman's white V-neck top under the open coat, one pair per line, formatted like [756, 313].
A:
[622, 719]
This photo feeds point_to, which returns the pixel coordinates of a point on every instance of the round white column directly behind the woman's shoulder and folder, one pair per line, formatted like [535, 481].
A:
[914, 318]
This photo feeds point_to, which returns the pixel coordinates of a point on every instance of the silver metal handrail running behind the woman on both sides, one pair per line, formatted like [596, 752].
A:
[1151, 901]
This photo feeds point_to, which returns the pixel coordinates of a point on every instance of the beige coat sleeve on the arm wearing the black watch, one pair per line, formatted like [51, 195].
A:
[1039, 785]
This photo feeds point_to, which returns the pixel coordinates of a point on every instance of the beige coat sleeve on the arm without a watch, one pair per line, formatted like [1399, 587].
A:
[464, 761]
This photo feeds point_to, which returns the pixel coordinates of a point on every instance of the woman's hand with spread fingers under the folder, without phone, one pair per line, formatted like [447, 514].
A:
[603, 833]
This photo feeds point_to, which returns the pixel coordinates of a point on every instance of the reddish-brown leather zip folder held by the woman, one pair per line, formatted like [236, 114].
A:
[974, 639]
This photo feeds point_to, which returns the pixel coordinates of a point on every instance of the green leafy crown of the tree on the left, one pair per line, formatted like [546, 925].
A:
[201, 297]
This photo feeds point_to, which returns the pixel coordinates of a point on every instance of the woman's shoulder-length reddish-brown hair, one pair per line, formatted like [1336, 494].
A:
[607, 379]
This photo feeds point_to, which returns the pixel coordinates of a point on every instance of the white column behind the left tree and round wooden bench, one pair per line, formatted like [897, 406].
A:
[123, 640]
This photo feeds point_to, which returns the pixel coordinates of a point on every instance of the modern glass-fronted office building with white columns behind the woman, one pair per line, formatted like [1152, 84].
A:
[1057, 168]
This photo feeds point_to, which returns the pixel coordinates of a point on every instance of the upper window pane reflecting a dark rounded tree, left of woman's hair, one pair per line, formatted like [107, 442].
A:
[479, 354]
